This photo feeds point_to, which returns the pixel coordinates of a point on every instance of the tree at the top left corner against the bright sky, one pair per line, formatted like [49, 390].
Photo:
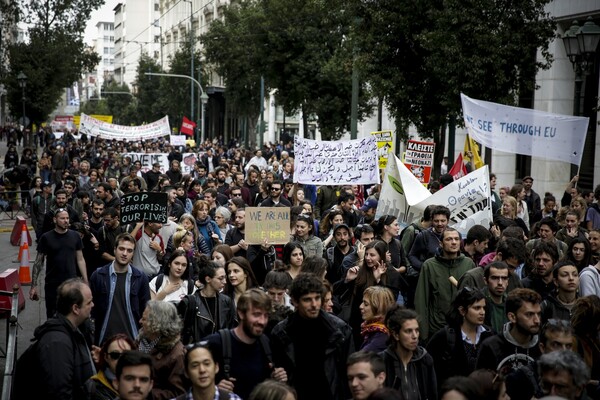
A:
[55, 55]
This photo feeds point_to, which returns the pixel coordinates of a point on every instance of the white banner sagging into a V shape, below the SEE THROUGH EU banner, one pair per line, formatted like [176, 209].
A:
[467, 198]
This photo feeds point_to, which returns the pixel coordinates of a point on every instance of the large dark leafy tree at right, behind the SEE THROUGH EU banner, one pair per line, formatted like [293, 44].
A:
[421, 54]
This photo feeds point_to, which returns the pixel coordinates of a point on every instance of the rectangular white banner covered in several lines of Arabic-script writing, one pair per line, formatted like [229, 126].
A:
[336, 163]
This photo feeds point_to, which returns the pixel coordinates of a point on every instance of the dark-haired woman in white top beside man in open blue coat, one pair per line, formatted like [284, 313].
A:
[175, 283]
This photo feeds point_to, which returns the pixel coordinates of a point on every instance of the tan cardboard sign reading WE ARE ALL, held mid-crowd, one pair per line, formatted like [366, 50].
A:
[271, 223]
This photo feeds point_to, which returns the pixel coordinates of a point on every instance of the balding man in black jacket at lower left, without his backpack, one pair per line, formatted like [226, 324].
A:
[64, 358]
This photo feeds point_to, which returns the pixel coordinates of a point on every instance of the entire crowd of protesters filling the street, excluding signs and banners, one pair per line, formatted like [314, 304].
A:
[351, 307]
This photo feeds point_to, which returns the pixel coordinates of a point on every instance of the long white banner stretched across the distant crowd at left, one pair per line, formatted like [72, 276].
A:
[104, 130]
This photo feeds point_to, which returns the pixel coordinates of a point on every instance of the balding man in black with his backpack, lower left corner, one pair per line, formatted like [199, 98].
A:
[57, 365]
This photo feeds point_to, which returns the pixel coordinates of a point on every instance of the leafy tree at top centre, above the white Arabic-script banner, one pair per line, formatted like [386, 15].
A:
[300, 47]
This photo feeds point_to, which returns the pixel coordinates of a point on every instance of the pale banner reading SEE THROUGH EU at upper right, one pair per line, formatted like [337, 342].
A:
[524, 131]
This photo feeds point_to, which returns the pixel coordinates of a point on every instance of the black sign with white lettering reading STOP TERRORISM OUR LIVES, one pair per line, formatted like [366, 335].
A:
[145, 206]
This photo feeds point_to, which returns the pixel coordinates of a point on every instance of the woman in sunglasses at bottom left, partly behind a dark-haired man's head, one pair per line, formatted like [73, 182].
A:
[100, 386]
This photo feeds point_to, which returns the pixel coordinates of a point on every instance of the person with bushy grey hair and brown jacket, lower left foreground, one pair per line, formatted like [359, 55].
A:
[160, 337]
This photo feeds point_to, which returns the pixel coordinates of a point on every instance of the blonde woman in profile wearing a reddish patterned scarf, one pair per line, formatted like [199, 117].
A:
[377, 300]
